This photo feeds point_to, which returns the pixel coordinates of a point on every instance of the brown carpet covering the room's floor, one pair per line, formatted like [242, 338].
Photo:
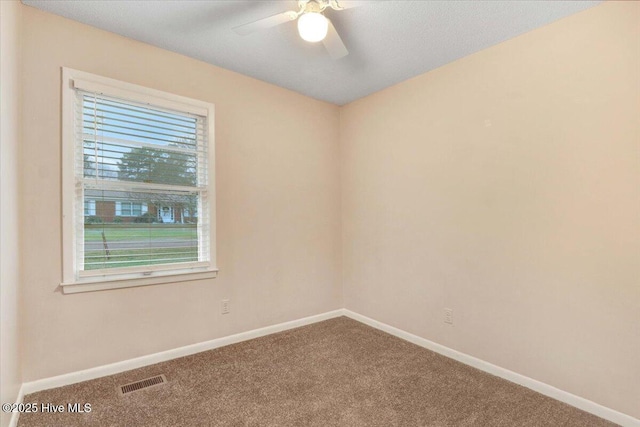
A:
[334, 373]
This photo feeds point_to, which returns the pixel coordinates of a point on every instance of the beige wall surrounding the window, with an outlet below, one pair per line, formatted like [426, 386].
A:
[277, 195]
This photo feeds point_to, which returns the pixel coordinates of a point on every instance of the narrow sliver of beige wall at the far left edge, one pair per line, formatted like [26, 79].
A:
[10, 369]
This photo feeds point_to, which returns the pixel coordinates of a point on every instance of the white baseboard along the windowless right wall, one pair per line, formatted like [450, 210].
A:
[542, 388]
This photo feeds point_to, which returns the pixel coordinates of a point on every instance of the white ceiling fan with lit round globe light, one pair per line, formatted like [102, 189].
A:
[313, 26]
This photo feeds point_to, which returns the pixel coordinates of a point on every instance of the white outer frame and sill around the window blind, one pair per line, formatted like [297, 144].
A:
[72, 281]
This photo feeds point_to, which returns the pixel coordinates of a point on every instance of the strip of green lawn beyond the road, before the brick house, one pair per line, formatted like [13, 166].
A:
[93, 233]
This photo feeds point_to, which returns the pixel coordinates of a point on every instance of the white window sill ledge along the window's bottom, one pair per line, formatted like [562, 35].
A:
[93, 285]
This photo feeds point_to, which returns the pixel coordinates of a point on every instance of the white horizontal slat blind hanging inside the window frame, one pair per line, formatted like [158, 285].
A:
[145, 170]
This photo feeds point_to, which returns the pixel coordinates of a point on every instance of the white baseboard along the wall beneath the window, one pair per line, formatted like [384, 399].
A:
[139, 362]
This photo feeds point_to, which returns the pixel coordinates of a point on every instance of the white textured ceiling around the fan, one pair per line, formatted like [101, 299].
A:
[388, 41]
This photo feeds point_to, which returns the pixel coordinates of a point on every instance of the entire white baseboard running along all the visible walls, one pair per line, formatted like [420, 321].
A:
[114, 368]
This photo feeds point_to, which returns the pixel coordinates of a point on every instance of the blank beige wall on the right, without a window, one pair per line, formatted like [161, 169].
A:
[505, 186]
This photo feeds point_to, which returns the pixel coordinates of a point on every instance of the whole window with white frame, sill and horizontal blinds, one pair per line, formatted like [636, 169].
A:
[136, 161]
